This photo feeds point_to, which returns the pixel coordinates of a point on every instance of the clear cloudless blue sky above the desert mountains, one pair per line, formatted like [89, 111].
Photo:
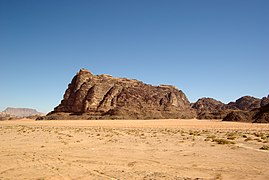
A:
[207, 48]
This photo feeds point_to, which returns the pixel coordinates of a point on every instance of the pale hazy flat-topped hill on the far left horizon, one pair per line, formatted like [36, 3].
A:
[21, 112]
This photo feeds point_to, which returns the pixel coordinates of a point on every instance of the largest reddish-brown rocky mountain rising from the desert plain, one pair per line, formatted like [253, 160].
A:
[105, 97]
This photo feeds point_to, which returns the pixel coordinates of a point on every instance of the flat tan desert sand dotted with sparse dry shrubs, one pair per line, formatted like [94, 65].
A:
[133, 149]
